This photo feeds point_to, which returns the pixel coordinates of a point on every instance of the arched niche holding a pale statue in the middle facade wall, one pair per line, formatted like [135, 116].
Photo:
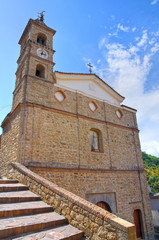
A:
[95, 140]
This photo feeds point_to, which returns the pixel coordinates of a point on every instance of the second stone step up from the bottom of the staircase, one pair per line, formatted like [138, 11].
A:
[19, 225]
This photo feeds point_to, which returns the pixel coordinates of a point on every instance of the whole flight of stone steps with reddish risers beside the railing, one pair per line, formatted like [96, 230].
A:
[24, 216]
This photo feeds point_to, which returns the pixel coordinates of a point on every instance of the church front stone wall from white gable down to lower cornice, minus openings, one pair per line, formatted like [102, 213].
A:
[63, 129]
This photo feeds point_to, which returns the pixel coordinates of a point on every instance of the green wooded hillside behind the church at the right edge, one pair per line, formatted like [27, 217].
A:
[151, 165]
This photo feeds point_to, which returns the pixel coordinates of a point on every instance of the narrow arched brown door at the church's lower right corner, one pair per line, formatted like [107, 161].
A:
[138, 223]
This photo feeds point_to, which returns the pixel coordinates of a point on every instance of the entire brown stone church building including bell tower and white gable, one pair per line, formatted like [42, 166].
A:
[73, 130]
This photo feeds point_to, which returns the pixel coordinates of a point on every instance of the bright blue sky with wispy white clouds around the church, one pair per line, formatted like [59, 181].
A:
[119, 37]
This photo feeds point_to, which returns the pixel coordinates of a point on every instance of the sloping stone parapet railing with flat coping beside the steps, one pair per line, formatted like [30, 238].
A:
[95, 222]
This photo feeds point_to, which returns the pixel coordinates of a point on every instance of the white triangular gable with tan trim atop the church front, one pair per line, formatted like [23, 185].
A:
[89, 84]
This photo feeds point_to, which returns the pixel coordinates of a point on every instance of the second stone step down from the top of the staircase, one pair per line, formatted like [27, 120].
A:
[12, 187]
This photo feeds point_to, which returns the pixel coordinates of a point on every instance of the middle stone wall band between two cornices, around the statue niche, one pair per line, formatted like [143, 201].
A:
[68, 142]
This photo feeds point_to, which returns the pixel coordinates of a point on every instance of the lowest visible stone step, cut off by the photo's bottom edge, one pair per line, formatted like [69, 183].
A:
[66, 232]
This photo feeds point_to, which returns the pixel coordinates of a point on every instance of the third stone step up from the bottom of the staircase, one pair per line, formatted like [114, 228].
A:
[23, 208]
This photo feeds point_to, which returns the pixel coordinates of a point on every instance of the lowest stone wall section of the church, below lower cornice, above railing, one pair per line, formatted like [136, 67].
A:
[124, 185]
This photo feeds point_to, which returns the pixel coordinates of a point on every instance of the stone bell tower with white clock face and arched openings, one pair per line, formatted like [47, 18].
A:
[36, 58]
